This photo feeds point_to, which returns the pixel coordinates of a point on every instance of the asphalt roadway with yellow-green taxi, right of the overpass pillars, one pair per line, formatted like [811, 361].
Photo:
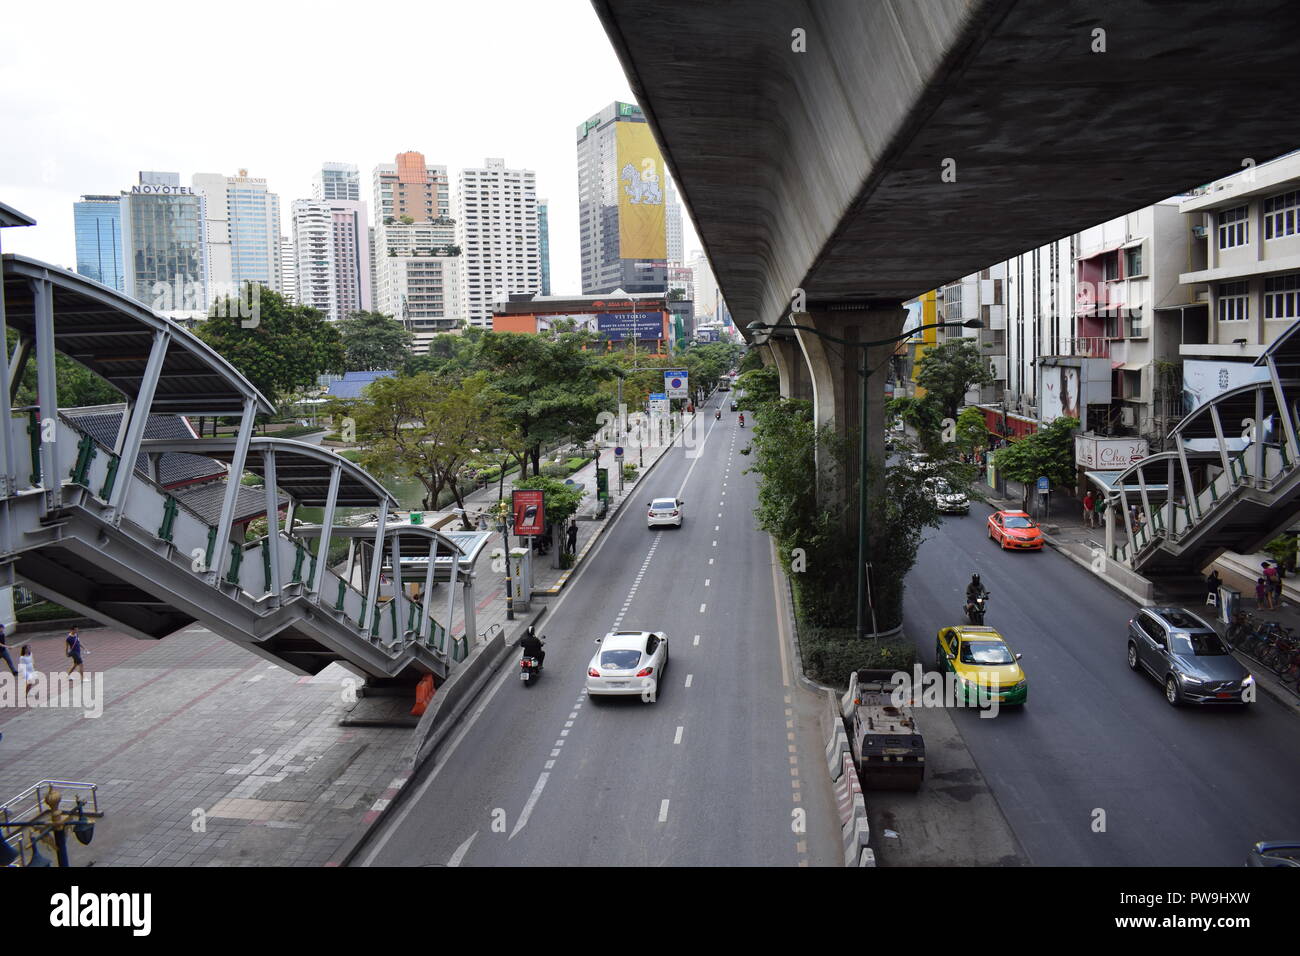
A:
[1098, 745]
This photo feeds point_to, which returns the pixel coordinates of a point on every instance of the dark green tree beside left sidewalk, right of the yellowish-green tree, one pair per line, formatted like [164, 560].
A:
[551, 388]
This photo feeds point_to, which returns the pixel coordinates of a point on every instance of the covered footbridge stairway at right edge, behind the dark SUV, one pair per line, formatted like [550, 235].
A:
[1232, 482]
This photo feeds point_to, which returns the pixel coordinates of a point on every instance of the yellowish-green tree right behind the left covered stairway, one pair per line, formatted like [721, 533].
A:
[419, 427]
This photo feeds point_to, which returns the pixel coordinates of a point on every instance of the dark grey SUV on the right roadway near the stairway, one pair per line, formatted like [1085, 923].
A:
[1188, 656]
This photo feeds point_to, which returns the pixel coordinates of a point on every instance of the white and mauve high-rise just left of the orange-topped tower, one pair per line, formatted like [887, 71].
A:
[333, 257]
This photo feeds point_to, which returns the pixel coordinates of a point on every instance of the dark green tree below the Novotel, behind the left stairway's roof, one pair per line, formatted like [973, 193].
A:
[288, 349]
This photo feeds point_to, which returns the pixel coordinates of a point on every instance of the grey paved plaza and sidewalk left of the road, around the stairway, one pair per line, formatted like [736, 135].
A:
[207, 755]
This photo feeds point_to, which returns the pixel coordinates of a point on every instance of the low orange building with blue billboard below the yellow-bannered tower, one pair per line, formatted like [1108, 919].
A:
[617, 318]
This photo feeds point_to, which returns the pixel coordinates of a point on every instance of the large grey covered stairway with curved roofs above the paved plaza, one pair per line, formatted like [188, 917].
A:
[120, 546]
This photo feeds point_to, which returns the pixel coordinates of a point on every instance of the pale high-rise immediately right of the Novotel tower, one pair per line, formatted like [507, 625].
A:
[242, 226]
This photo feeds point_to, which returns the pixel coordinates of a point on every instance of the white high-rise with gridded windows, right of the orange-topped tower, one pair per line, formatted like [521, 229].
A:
[499, 237]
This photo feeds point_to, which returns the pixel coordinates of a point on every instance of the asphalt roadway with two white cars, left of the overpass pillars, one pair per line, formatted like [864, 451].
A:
[720, 771]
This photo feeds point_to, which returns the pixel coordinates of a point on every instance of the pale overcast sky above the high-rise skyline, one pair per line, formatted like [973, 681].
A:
[92, 93]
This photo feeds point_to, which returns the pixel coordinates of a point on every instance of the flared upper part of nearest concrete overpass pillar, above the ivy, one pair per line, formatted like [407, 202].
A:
[837, 382]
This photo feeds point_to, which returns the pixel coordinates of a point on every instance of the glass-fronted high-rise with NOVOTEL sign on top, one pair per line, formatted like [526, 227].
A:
[163, 245]
